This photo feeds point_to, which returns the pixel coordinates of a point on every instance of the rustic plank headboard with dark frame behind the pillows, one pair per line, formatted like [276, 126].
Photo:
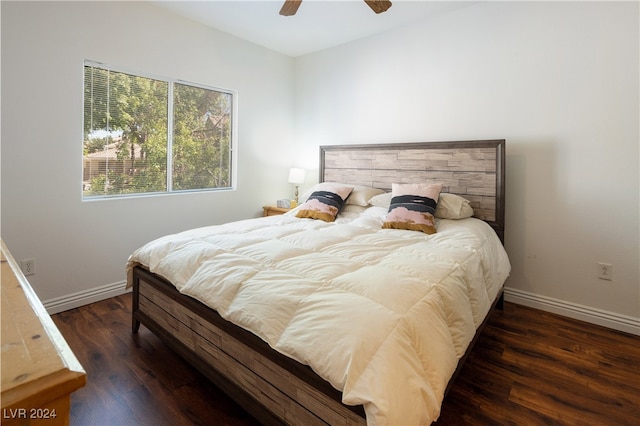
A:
[472, 169]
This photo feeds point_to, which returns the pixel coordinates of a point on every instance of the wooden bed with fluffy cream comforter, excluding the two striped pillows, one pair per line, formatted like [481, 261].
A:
[350, 321]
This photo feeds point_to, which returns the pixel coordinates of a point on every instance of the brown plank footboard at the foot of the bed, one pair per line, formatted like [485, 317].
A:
[272, 387]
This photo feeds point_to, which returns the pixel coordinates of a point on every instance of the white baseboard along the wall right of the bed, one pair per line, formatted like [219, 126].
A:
[584, 313]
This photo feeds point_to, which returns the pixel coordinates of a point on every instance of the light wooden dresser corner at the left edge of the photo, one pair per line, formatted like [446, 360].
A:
[39, 370]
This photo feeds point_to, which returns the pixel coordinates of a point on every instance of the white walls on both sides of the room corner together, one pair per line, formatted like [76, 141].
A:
[559, 81]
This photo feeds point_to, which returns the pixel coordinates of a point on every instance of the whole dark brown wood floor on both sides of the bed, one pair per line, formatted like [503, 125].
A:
[528, 368]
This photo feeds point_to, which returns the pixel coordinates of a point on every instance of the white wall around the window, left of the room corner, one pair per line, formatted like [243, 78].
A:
[80, 246]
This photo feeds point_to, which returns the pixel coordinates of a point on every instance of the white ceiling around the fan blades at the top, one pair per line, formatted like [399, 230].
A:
[318, 24]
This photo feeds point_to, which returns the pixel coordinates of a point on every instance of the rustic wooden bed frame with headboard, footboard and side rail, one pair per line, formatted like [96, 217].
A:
[272, 387]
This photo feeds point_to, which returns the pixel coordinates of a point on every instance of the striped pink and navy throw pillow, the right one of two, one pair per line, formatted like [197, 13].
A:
[413, 206]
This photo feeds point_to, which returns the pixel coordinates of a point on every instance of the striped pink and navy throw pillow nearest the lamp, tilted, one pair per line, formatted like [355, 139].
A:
[325, 202]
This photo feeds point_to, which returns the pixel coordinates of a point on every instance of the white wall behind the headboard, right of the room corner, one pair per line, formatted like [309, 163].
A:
[558, 81]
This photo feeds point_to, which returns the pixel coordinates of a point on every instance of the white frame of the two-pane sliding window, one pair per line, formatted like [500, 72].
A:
[171, 82]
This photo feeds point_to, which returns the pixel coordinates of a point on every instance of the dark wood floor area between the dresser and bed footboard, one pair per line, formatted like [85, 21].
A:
[136, 379]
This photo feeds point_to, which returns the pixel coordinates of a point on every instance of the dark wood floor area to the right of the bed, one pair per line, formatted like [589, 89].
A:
[561, 371]
